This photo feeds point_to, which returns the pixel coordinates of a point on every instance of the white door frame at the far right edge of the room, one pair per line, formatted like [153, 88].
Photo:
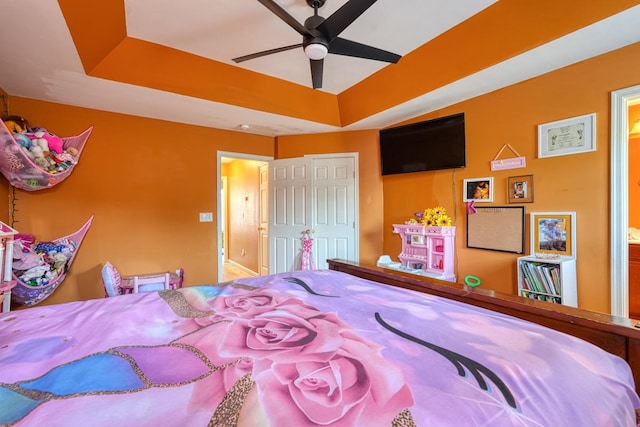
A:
[619, 195]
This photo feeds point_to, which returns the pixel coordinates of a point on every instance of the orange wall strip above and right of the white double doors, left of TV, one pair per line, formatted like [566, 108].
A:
[365, 143]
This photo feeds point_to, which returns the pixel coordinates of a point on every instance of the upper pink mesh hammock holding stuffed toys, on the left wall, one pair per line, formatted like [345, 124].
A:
[20, 170]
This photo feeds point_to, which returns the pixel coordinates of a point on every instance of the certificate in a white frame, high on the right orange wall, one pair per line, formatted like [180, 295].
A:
[569, 136]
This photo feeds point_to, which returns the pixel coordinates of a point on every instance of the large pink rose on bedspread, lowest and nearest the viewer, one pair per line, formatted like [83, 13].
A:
[357, 386]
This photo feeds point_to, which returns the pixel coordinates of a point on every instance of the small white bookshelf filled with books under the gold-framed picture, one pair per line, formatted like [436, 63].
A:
[552, 280]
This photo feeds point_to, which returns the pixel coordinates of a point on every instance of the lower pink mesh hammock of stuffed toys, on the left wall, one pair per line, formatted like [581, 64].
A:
[28, 295]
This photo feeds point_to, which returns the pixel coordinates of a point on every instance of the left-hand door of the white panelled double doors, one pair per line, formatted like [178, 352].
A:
[290, 183]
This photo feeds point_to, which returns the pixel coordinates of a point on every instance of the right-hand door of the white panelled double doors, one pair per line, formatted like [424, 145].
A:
[334, 209]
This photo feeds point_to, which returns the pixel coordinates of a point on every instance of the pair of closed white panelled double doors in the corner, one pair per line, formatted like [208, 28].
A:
[317, 193]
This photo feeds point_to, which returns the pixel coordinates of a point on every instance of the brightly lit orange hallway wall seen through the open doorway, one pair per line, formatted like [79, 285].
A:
[243, 179]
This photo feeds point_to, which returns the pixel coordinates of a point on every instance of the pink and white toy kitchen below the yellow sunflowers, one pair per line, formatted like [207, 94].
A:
[427, 251]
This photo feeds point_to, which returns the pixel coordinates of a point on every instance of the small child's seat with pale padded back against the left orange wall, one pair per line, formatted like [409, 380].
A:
[115, 284]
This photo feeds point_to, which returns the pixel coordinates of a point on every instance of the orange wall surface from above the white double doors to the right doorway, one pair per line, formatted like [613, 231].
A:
[577, 183]
